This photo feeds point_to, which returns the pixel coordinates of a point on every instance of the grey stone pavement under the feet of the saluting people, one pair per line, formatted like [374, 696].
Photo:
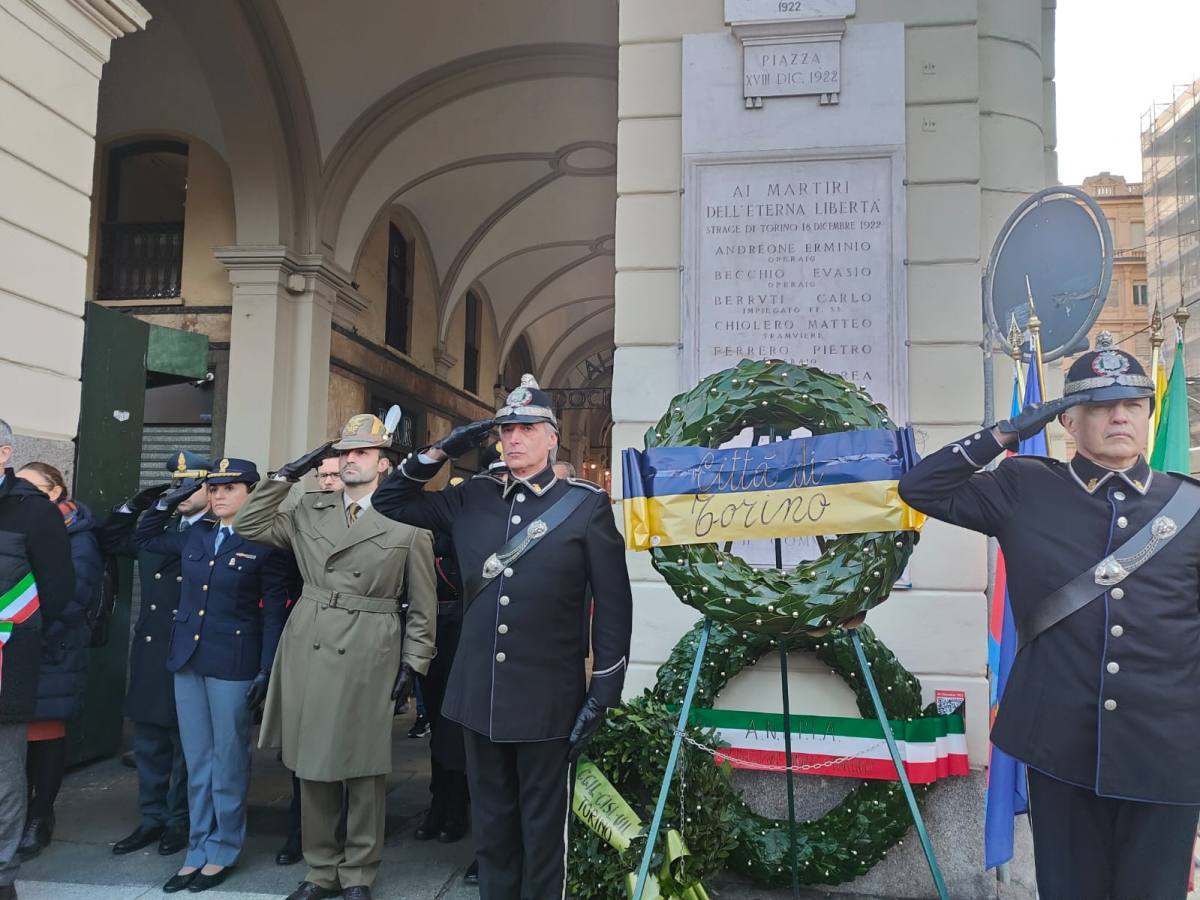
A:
[99, 806]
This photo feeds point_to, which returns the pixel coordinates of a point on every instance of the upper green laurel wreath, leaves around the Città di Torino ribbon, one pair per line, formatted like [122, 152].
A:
[854, 574]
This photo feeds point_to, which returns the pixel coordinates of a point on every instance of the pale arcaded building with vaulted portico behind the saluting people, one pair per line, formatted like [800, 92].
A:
[377, 203]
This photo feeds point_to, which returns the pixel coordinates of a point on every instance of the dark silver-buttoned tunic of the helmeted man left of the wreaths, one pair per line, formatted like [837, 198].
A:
[519, 674]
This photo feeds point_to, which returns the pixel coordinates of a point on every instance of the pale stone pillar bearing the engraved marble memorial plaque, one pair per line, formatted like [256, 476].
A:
[821, 182]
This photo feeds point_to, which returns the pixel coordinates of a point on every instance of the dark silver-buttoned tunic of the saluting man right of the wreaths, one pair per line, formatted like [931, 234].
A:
[1107, 699]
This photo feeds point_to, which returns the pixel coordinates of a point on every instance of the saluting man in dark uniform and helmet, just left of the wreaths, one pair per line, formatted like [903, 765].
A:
[529, 548]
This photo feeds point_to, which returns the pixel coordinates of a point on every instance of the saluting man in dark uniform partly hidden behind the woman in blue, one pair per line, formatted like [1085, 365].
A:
[151, 701]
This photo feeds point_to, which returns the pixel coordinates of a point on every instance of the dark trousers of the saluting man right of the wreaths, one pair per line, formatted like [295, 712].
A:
[1091, 848]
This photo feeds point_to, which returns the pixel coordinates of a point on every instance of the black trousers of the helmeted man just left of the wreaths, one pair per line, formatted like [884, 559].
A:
[520, 806]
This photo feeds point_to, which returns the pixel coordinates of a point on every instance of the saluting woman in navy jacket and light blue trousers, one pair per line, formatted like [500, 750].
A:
[231, 614]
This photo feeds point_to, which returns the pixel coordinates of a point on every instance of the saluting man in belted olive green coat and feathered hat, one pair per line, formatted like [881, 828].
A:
[340, 668]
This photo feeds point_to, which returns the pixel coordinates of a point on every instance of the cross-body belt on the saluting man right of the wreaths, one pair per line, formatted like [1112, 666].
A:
[1115, 568]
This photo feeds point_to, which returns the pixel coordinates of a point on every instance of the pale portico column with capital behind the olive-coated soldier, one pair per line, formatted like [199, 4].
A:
[284, 305]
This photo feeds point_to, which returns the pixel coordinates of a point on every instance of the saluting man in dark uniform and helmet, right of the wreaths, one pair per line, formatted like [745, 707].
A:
[1103, 561]
